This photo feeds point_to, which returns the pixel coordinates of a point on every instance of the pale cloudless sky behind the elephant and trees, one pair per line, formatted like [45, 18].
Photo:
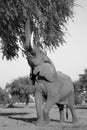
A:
[71, 58]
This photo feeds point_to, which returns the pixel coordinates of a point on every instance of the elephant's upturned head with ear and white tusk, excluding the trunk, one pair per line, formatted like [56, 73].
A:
[41, 65]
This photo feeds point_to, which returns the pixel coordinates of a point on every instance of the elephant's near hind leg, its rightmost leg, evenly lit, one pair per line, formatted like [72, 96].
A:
[71, 107]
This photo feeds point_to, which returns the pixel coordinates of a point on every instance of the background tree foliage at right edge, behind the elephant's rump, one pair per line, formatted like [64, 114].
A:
[81, 88]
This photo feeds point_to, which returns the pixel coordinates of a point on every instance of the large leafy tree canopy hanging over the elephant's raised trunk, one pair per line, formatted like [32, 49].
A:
[47, 19]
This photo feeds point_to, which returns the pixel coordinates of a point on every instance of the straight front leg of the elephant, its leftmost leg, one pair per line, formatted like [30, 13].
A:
[39, 108]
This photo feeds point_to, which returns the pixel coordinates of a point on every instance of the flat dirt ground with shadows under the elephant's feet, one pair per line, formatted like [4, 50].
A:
[22, 119]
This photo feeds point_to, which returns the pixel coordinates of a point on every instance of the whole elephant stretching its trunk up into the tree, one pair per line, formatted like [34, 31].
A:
[55, 86]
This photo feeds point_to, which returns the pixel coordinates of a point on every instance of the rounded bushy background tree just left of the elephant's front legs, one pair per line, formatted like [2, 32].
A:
[20, 89]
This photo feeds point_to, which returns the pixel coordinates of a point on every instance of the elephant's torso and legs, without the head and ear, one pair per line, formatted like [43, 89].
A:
[59, 92]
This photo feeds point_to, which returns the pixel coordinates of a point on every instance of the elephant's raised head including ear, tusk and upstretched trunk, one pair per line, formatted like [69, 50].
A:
[39, 62]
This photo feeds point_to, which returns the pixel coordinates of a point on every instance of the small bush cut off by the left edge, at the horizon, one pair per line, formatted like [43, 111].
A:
[4, 97]
